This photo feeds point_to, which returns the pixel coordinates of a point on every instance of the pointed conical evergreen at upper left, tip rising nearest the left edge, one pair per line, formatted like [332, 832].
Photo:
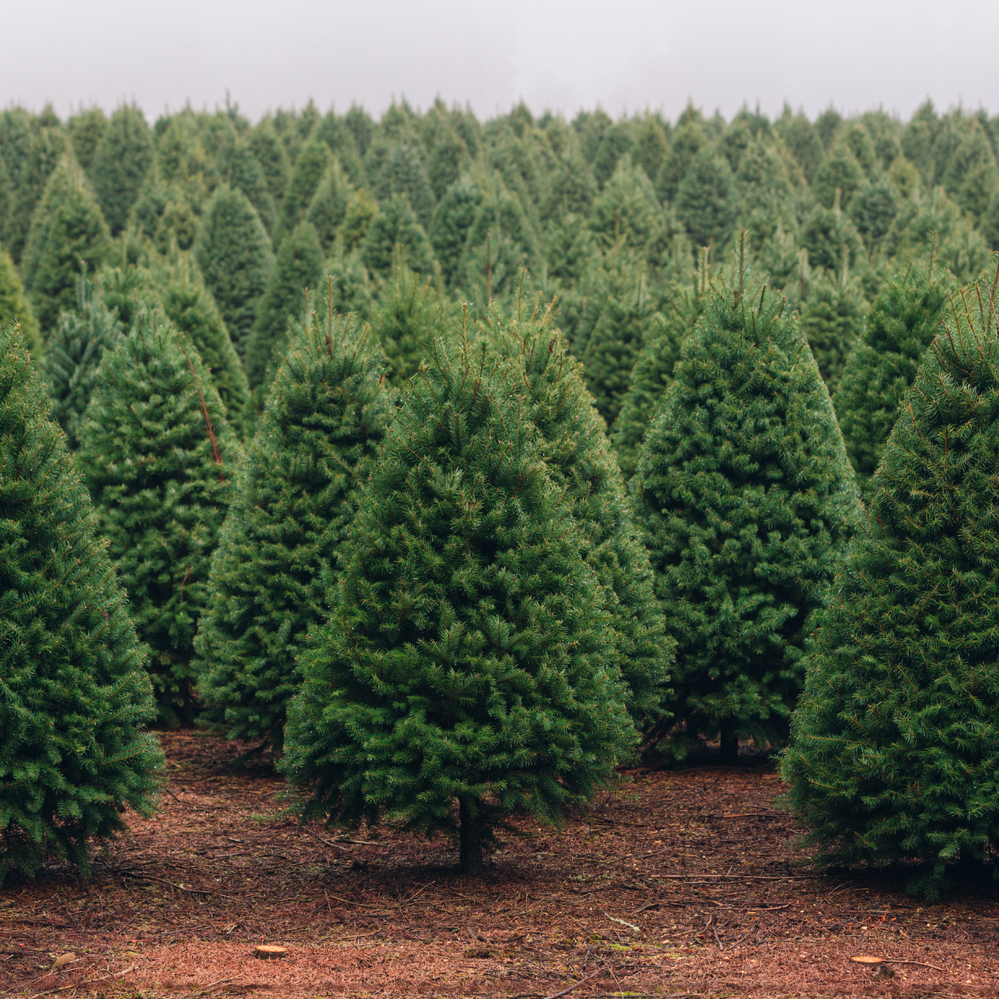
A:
[68, 235]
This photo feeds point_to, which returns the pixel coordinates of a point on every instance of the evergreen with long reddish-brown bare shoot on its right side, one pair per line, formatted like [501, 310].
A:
[157, 455]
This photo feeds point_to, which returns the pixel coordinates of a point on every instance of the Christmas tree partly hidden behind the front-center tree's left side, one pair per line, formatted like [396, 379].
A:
[294, 502]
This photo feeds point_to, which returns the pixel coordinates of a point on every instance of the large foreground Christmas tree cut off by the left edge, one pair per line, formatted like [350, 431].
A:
[75, 693]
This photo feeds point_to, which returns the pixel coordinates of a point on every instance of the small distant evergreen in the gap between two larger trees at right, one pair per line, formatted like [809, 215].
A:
[832, 319]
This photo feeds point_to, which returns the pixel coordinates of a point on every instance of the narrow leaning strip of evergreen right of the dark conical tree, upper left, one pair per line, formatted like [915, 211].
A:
[299, 269]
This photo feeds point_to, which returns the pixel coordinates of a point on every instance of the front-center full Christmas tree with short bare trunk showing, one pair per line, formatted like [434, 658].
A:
[465, 660]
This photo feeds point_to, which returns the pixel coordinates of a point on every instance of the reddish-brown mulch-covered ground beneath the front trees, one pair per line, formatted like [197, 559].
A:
[675, 884]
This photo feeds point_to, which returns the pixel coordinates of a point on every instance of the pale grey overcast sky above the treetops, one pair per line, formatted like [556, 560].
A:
[557, 54]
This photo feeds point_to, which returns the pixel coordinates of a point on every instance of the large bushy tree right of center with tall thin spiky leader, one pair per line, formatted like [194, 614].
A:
[747, 500]
